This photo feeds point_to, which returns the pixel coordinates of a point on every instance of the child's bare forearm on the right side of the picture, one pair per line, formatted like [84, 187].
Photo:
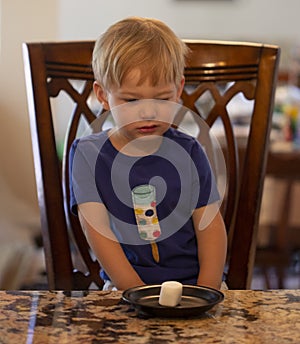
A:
[212, 245]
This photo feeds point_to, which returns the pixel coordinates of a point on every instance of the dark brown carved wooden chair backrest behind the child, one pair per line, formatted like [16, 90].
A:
[216, 71]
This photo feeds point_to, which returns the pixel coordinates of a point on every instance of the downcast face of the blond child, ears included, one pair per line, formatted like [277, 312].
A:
[140, 118]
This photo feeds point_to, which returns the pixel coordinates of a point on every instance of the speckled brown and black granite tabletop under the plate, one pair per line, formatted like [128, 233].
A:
[102, 317]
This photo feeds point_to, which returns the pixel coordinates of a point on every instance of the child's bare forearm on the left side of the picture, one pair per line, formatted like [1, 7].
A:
[95, 224]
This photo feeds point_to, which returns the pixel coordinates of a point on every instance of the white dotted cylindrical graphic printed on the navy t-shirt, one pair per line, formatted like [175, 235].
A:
[144, 203]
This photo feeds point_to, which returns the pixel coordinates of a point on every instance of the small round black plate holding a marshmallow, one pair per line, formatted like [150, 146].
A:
[195, 301]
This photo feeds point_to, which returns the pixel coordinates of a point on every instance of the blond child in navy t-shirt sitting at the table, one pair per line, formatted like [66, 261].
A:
[142, 190]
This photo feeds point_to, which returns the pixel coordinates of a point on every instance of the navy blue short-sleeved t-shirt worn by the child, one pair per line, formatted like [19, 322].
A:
[181, 177]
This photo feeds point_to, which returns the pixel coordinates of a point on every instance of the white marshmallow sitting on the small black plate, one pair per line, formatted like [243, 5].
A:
[170, 293]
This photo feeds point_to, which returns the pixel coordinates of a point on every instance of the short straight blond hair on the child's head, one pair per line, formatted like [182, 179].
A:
[143, 43]
